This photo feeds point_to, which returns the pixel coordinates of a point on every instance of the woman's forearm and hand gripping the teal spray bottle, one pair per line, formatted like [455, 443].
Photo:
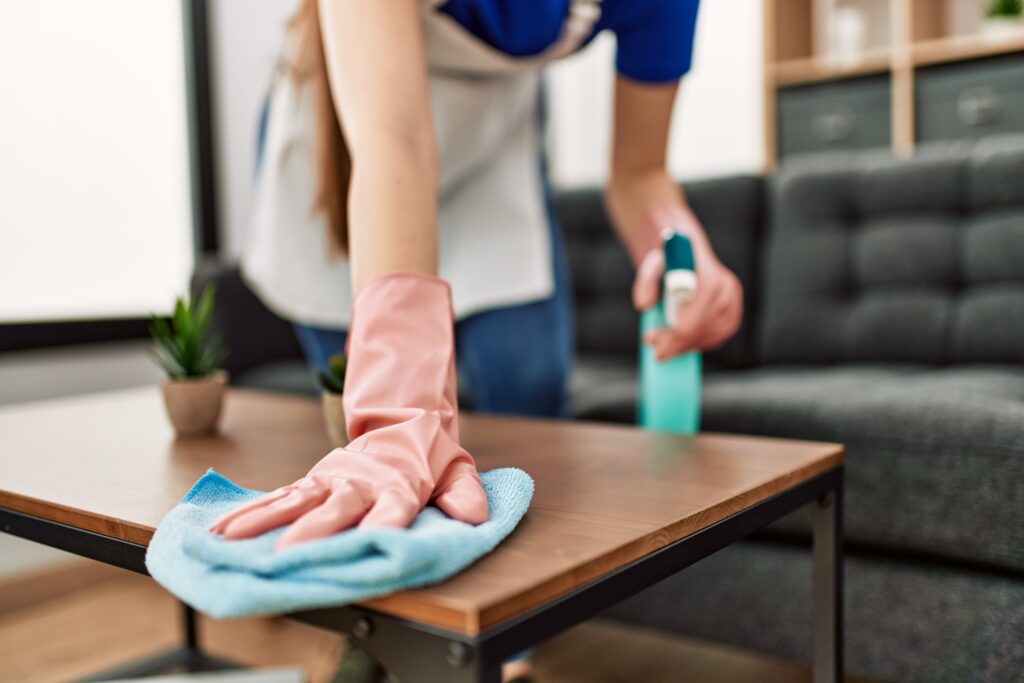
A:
[644, 200]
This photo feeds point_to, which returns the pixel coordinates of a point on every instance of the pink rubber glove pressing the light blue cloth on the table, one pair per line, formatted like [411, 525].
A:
[403, 419]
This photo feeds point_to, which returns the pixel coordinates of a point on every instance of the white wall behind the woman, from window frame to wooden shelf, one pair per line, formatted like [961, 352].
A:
[717, 127]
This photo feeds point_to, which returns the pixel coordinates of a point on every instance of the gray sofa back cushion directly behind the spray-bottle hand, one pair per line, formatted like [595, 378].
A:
[732, 210]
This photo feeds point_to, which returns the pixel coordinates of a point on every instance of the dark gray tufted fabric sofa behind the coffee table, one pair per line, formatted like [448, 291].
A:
[885, 311]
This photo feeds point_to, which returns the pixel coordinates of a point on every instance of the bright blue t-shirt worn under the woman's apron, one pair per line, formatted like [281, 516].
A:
[656, 37]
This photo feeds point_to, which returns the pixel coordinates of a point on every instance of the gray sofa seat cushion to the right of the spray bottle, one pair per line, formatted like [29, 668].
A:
[934, 456]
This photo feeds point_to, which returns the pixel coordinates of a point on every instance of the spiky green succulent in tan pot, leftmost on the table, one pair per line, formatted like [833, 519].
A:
[194, 391]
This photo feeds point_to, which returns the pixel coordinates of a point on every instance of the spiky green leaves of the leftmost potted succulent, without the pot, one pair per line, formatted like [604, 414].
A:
[186, 350]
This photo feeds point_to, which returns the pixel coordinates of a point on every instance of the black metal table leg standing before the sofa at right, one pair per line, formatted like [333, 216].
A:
[827, 524]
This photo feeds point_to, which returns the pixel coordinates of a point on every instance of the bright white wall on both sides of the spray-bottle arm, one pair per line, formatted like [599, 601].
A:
[717, 127]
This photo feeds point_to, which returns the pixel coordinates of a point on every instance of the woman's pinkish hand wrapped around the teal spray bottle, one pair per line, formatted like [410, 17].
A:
[713, 315]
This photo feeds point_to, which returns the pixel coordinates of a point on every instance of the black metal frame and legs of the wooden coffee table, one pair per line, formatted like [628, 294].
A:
[419, 654]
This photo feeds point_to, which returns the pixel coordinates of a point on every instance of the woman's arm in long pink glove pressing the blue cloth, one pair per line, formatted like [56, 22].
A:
[400, 396]
